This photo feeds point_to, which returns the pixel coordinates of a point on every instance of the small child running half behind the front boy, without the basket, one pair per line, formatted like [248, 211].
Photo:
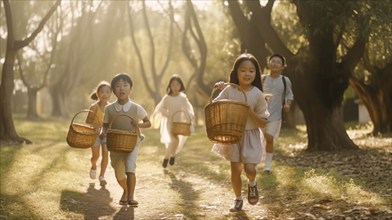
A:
[102, 94]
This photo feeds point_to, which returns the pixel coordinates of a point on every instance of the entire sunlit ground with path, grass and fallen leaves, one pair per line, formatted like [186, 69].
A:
[49, 180]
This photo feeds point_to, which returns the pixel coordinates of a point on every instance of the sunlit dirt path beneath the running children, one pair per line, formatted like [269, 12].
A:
[166, 194]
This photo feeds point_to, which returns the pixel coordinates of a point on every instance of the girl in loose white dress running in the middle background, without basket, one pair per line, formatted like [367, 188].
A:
[176, 103]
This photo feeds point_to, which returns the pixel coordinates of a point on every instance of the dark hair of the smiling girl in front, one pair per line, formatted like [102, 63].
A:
[241, 58]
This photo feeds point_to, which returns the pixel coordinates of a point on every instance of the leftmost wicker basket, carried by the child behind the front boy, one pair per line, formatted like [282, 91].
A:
[81, 135]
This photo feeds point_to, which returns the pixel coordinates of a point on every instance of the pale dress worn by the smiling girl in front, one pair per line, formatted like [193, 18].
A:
[250, 148]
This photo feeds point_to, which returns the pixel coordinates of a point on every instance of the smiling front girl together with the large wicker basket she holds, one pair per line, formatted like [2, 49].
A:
[243, 148]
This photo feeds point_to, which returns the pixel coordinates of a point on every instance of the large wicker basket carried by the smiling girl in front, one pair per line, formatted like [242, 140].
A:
[226, 119]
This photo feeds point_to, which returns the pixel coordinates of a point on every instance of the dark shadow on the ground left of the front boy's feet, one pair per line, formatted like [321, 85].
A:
[94, 204]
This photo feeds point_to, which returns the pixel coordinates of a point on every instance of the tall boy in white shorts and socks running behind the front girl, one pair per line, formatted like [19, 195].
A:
[281, 96]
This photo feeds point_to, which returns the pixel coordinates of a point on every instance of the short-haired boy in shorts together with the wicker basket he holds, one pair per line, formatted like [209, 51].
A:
[122, 142]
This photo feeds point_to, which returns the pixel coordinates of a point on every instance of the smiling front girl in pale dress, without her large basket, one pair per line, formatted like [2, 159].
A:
[247, 153]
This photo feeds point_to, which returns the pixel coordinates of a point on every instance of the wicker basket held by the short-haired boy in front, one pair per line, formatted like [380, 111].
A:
[121, 140]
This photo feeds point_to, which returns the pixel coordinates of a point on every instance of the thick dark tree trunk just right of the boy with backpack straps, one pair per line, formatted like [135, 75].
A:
[324, 121]
